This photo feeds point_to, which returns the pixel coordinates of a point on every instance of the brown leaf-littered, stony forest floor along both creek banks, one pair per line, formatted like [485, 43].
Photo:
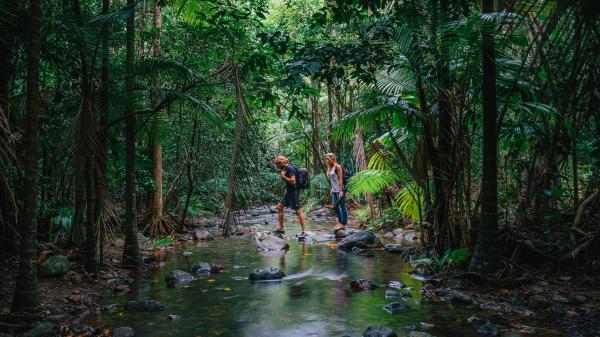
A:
[571, 301]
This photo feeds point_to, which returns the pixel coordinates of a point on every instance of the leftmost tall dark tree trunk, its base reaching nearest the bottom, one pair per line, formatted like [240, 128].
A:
[26, 292]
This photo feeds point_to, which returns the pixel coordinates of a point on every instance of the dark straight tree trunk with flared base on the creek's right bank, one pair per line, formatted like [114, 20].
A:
[486, 256]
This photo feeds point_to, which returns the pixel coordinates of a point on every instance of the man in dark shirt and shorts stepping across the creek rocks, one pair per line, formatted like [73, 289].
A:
[291, 199]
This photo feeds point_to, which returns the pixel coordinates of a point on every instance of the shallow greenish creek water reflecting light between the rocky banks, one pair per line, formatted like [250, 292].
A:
[314, 299]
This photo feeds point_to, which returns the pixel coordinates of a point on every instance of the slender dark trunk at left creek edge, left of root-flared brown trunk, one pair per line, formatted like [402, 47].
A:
[131, 251]
